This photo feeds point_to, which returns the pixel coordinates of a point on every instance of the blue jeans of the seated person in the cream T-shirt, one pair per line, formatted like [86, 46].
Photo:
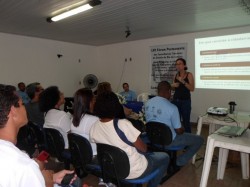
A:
[156, 160]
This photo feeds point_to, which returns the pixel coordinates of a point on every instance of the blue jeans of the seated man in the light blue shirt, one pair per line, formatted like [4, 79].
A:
[192, 144]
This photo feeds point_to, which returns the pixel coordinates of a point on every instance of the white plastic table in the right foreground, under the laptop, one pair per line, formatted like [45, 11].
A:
[240, 144]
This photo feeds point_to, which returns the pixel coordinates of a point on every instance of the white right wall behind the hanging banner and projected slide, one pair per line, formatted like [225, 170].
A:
[136, 72]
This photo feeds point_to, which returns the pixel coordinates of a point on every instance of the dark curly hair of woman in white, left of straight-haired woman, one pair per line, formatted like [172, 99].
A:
[49, 98]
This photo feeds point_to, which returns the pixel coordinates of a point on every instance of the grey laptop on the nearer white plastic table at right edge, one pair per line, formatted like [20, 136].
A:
[231, 131]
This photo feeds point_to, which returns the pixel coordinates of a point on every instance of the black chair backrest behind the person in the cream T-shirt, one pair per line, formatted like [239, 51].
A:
[114, 162]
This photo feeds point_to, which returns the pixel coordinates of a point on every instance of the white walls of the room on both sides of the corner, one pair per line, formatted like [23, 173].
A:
[32, 59]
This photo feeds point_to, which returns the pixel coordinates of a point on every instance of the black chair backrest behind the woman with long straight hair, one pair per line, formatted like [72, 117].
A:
[81, 152]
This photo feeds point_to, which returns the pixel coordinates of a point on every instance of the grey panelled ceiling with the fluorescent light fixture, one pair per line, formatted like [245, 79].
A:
[107, 23]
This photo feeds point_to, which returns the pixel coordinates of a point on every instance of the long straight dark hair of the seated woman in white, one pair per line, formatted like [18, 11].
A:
[82, 100]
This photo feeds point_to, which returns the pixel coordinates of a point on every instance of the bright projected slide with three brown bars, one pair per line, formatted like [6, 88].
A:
[223, 62]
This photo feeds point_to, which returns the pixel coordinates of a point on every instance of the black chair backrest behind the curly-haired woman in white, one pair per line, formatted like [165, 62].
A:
[55, 143]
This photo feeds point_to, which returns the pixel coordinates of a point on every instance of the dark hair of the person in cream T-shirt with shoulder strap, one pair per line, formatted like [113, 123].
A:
[107, 105]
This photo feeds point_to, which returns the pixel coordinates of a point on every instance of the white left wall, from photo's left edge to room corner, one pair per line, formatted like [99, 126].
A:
[30, 59]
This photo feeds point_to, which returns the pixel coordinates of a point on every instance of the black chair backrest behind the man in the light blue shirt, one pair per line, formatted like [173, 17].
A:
[159, 133]
